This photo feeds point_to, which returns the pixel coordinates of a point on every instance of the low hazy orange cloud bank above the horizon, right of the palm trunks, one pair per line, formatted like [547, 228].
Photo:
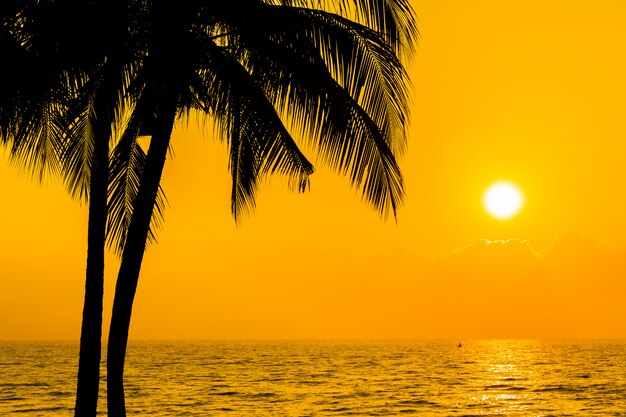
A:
[488, 289]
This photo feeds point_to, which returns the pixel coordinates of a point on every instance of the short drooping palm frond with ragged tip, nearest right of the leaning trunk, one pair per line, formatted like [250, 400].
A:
[259, 142]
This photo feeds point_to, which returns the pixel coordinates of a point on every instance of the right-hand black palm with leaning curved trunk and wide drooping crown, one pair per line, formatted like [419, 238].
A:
[330, 70]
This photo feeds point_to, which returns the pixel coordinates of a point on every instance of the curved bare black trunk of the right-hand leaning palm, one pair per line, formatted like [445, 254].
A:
[132, 257]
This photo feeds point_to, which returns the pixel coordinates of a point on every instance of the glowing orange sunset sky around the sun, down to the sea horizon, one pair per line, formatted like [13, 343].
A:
[533, 92]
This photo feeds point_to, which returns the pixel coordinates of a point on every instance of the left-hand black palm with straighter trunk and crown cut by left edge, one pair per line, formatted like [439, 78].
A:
[59, 101]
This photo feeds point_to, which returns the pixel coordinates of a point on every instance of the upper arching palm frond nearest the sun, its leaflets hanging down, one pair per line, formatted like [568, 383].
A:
[362, 63]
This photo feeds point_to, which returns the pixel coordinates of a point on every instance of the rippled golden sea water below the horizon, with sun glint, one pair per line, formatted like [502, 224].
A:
[482, 378]
